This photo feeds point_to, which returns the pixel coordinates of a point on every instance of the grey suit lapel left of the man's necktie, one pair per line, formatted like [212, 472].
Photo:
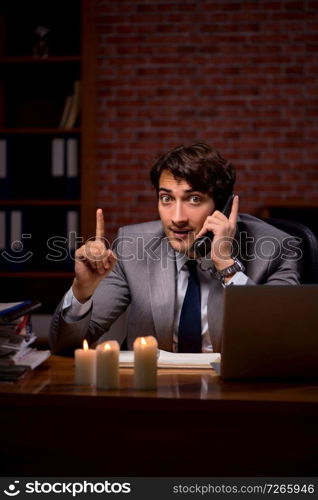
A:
[162, 287]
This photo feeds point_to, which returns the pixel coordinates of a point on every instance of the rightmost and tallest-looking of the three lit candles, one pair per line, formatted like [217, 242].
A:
[145, 366]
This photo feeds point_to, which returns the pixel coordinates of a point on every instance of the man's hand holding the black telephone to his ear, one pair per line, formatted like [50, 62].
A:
[224, 230]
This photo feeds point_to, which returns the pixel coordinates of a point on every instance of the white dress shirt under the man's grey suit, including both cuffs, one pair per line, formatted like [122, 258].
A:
[73, 310]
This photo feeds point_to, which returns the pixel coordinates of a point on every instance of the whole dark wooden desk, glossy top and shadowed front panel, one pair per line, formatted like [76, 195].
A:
[193, 425]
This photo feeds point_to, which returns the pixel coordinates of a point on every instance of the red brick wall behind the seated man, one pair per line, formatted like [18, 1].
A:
[240, 75]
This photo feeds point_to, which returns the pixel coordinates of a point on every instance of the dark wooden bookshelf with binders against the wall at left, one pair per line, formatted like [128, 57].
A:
[46, 169]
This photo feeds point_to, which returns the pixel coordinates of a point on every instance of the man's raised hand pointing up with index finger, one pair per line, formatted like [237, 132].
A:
[93, 261]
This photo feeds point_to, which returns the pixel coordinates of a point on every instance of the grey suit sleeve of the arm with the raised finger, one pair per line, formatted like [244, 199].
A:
[109, 301]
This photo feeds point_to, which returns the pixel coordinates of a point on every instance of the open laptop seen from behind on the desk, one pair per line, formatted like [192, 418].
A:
[270, 332]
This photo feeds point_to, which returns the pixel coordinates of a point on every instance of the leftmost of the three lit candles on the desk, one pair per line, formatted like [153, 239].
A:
[108, 365]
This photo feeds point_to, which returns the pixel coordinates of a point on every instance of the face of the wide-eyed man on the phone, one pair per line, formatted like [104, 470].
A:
[182, 210]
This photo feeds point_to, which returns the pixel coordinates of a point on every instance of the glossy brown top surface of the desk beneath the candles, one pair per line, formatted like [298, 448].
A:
[56, 376]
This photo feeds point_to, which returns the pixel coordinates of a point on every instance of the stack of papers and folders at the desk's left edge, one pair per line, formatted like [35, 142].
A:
[16, 338]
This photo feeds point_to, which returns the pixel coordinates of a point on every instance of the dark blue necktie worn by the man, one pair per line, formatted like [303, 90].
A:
[189, 333]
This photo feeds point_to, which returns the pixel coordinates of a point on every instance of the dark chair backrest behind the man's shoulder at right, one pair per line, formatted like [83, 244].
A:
[308, 264]
